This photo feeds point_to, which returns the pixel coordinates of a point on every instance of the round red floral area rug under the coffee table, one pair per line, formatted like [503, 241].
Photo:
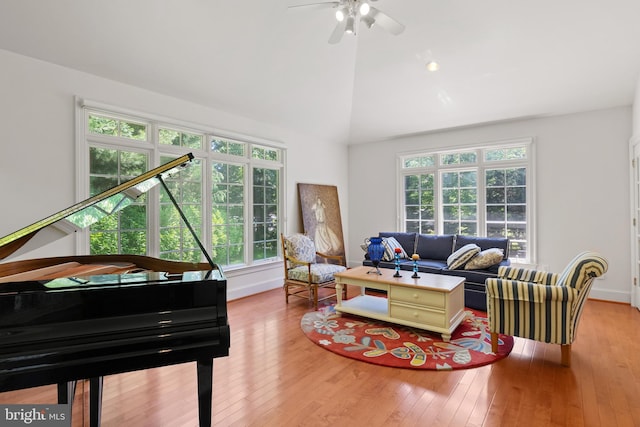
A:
[399, 346]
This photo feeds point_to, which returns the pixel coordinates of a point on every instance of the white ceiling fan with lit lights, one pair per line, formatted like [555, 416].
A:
[349, 13]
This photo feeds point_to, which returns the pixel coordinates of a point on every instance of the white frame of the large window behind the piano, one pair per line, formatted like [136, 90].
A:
[85, 140]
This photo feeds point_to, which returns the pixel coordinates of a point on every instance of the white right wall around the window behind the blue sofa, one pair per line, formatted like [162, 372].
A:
[582, 187]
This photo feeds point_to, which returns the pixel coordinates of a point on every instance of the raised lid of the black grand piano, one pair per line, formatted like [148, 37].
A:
[87, 212]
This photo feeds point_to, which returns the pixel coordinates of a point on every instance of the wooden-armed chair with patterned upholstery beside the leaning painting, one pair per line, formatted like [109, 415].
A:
[303, 273]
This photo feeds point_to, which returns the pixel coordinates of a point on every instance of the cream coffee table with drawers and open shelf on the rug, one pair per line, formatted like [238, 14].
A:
[433, 302]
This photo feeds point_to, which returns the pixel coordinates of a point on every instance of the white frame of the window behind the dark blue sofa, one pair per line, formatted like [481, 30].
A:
[481, 166]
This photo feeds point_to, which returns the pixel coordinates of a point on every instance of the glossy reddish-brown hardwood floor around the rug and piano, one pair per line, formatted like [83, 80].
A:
[275, 376]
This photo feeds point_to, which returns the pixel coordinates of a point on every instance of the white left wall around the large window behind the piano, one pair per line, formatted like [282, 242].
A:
[37, 150]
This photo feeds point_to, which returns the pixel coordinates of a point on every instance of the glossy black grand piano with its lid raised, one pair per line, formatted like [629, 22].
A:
[70, 318]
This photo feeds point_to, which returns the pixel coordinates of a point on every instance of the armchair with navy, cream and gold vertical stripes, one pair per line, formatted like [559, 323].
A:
[539, 305]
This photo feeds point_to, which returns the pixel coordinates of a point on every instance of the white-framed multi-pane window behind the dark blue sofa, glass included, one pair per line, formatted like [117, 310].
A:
[484, 191]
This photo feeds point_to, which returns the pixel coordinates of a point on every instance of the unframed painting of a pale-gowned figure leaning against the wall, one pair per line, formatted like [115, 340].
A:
[321, 217]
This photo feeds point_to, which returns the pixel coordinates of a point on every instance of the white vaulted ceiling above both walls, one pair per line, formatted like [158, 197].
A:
[500, 59]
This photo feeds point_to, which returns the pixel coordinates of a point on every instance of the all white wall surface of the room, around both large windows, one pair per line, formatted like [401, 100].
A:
[588, 151]
